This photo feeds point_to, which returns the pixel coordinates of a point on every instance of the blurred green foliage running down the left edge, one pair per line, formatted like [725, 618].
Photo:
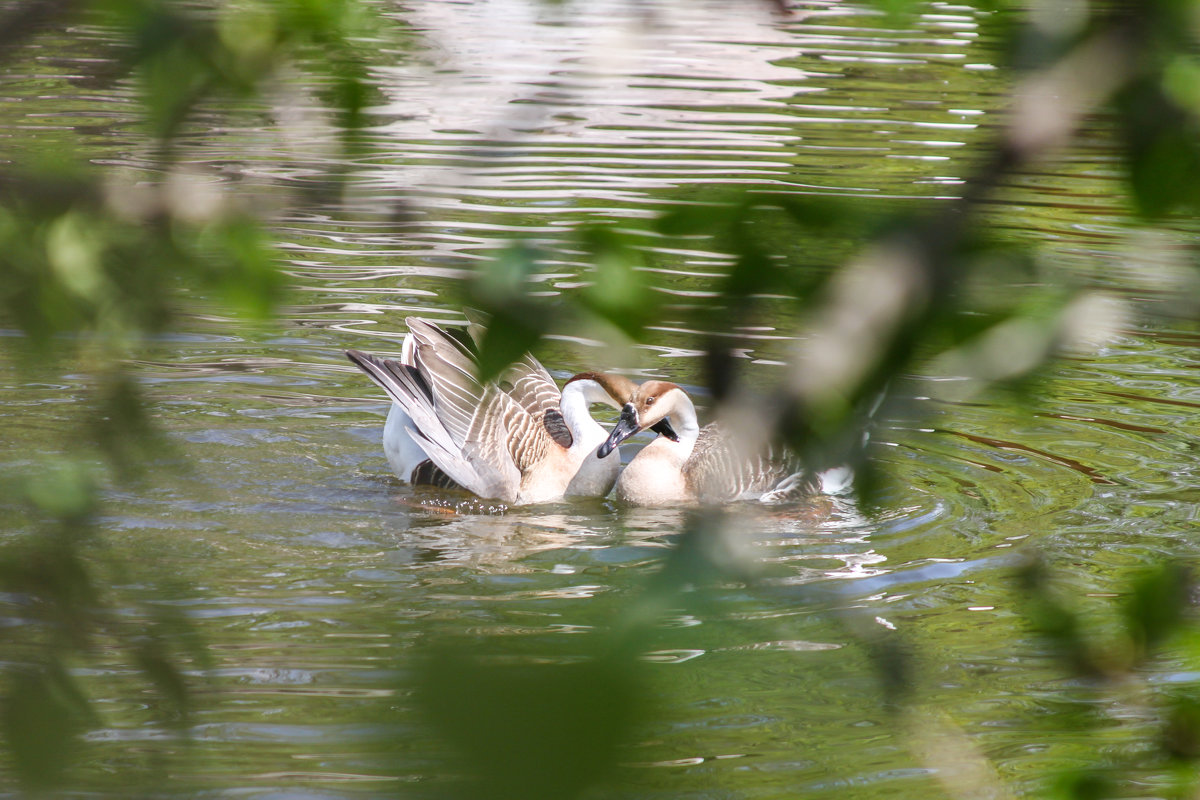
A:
[91, 269]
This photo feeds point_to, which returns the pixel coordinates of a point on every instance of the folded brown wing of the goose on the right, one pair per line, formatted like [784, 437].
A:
[719, 471]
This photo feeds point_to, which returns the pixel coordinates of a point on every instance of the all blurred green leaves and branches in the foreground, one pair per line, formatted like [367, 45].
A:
[93, 269]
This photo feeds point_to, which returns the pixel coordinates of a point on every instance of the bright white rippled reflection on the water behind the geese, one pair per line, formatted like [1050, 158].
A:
[607, 111]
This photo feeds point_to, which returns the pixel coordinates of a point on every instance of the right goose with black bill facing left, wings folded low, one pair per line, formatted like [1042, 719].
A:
[703, 465]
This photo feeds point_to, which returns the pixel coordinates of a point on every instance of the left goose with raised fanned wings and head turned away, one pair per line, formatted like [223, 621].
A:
[520, 440]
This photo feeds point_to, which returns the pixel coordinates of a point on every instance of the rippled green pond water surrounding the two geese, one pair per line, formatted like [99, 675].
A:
[315, 579]
